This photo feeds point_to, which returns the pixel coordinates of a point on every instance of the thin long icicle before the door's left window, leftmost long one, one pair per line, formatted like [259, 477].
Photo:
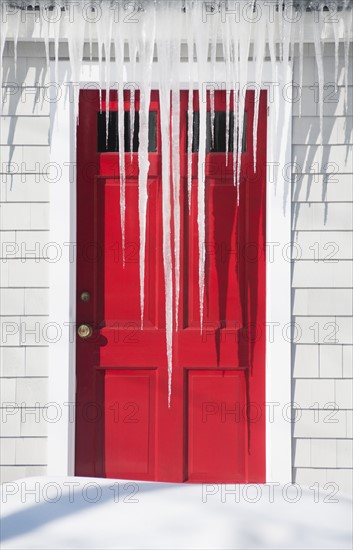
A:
[119, 69]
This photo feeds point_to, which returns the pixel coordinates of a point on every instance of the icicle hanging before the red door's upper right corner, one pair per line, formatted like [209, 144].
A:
[259, 50]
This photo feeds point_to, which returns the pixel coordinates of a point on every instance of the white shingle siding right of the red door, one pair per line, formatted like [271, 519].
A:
[322, 281]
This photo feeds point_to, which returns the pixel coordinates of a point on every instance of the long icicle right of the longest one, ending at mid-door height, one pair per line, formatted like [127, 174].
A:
[202, 39]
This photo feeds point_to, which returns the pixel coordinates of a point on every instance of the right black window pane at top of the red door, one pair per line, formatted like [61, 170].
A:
[219, 140]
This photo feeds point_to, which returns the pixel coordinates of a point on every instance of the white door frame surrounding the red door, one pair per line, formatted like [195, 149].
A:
[62, 273]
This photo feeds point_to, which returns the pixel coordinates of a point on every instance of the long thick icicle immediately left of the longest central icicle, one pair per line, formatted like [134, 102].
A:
[146, 47]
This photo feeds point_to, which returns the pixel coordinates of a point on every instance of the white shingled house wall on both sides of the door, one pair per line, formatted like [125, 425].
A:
[321, 289]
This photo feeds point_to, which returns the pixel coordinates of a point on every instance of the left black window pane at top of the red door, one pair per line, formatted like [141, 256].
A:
[113, 133]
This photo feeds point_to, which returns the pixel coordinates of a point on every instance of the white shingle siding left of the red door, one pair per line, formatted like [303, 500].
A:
[24, 283]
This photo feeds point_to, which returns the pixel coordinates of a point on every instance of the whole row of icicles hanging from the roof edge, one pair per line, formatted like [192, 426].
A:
[166, 25]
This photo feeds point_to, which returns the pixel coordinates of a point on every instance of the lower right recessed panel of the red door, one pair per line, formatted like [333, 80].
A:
[216, 426]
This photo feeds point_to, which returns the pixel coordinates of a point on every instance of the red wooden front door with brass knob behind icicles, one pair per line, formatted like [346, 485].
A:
[214, 430]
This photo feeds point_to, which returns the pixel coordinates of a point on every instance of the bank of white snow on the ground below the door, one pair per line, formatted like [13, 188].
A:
[86, 513]
